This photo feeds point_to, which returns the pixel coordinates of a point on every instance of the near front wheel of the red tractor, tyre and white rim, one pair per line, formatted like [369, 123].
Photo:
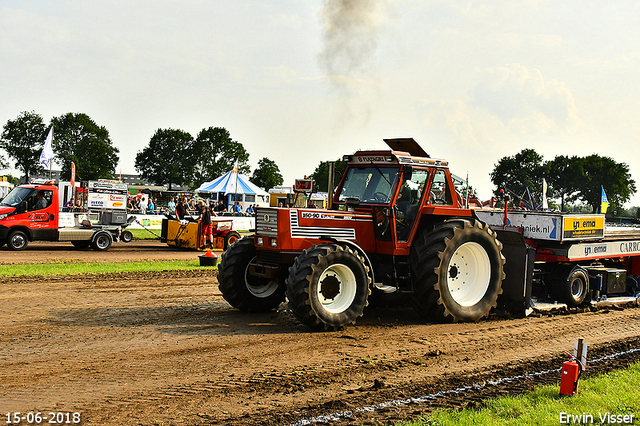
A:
[328, 286]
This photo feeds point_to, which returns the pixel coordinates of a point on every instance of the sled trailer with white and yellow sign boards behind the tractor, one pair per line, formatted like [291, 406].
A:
[575, 259]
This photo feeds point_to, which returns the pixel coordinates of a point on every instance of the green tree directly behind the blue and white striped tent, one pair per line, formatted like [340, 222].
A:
[214, 153]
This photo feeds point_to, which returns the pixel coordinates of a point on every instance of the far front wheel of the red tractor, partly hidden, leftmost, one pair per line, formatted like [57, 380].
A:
[243, 291]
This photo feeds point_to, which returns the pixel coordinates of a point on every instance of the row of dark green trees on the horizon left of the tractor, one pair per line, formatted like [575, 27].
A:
[172, 157]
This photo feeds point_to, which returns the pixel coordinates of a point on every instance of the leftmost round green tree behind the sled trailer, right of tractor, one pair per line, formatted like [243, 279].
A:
[520, 172]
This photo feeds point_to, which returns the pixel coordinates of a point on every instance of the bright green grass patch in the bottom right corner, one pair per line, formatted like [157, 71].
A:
[611, 398]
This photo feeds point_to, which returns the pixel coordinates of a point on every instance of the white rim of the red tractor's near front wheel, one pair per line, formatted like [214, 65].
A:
[336, 288]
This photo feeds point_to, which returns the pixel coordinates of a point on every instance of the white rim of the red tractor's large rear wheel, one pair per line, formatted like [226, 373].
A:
[468, 274]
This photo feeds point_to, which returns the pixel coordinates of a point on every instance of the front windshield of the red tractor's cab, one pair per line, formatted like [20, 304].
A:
[369, 184]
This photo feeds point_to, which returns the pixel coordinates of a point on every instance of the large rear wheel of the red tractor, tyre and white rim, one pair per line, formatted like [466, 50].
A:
[456, 271]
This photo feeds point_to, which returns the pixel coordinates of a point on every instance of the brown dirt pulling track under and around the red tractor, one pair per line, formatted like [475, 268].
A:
[165, 348]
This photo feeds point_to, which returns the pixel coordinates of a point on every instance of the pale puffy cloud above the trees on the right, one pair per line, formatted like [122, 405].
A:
[524, 101]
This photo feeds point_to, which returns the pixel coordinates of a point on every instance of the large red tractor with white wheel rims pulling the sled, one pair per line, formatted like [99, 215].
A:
[396, 224]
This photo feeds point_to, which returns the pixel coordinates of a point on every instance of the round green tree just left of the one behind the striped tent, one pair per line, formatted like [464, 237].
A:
[167, 160]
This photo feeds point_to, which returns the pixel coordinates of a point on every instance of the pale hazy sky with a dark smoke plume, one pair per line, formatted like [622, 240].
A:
[305, 81]
